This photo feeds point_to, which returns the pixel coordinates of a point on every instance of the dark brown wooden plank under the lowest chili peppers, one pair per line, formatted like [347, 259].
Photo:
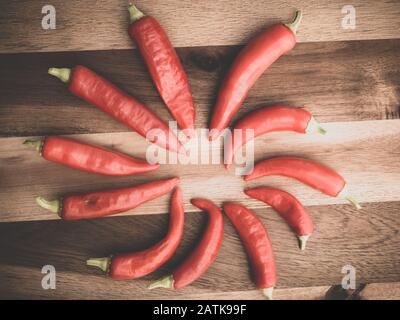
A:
[368, 241]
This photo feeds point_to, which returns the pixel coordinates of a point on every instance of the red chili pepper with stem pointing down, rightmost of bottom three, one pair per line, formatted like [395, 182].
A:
[257, 243]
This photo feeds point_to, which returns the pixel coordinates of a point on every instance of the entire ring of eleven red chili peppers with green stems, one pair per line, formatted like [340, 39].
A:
[152, 39]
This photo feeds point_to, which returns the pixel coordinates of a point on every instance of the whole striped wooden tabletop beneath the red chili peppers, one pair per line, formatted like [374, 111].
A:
[348, 78]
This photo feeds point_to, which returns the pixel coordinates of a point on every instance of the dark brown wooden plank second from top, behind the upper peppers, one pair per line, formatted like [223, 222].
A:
[341, 81]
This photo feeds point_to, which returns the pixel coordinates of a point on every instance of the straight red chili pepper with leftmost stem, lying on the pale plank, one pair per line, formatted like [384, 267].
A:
[89, 158]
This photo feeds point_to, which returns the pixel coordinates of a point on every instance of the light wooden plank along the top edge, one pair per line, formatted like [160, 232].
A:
[102, 25]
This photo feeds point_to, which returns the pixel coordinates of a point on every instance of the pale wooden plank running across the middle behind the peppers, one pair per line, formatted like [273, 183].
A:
[371, 176]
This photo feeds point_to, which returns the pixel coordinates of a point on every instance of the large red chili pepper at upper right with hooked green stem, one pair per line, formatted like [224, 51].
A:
[249, 65]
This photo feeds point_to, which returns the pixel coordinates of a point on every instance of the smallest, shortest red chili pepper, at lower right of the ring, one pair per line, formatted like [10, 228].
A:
[289, 207]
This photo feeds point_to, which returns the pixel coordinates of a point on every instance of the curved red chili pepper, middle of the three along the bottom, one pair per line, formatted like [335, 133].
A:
[203, 256]
